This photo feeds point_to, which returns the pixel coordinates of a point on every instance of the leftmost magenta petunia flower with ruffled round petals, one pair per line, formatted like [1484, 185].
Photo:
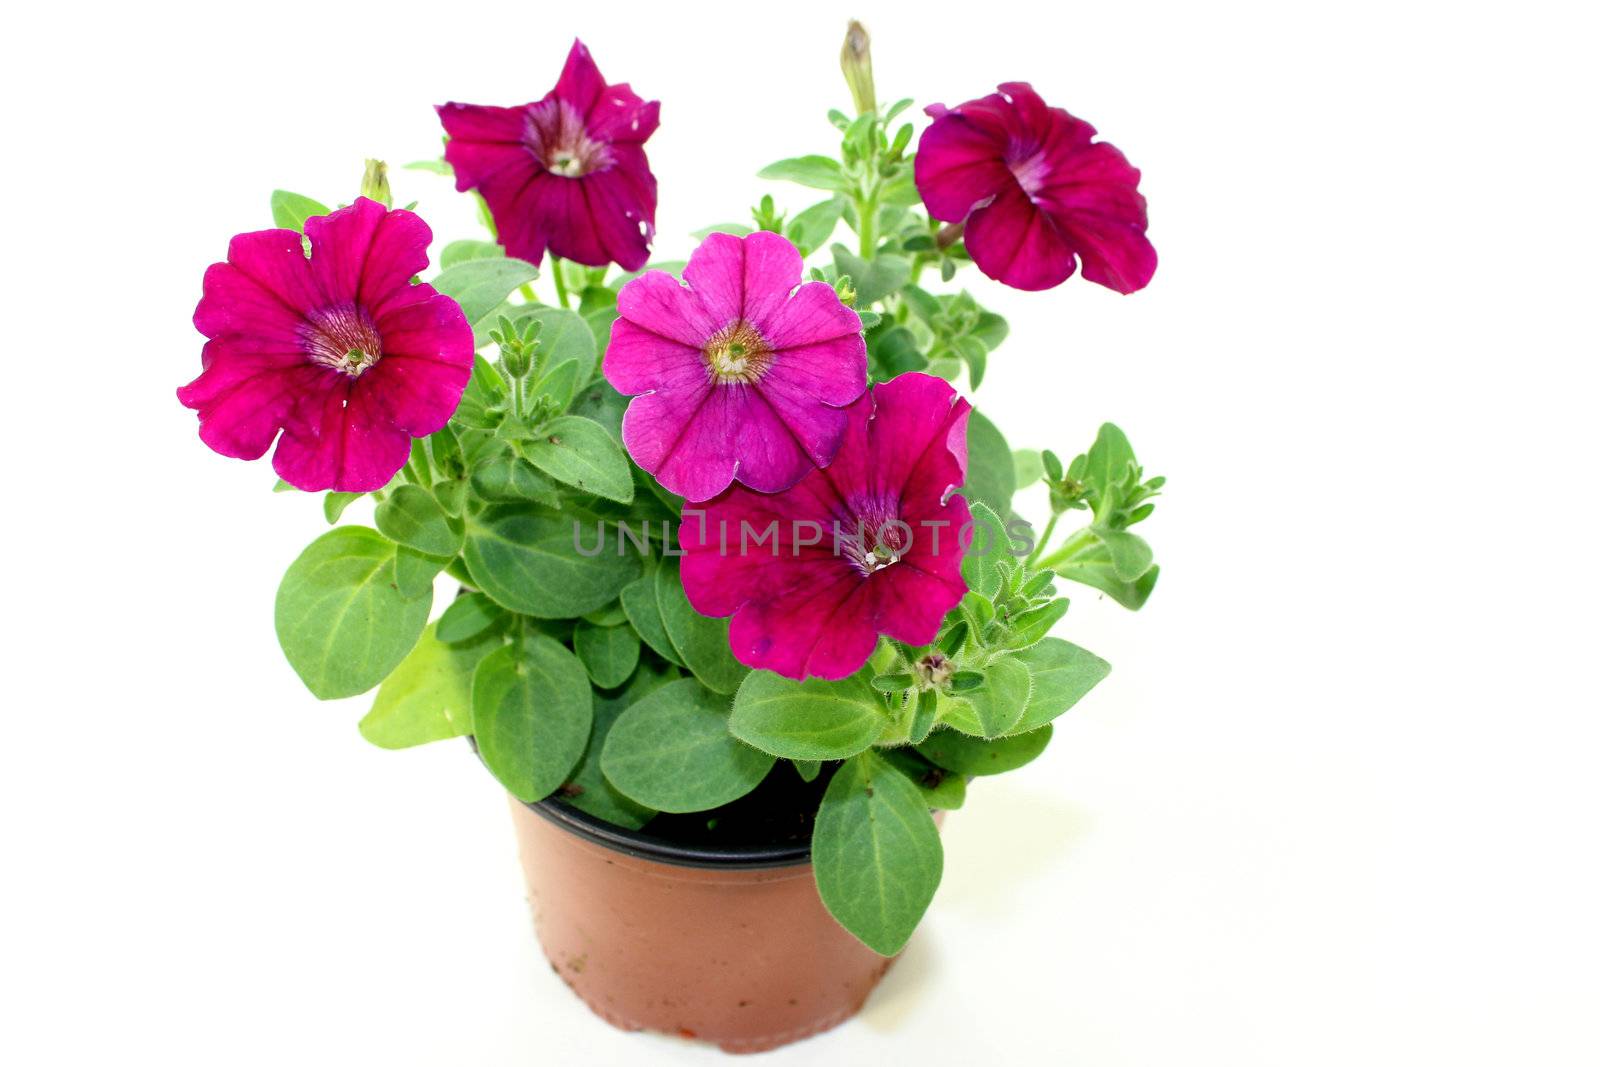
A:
[340, 351]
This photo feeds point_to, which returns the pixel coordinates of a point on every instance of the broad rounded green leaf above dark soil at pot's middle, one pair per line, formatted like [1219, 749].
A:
[673, 751]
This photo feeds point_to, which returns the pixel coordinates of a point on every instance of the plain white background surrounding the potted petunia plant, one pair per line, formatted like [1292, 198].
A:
[1335, 805]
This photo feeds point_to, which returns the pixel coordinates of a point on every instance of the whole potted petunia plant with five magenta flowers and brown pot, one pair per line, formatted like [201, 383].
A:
[740, 602]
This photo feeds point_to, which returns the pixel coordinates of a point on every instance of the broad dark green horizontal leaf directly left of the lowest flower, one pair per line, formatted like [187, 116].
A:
[526, 562]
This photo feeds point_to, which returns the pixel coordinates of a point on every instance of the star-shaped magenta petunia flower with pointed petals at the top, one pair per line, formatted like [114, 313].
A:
[566, 174]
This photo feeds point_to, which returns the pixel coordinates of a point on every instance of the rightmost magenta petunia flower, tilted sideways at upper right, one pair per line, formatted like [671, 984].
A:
[1034, 193]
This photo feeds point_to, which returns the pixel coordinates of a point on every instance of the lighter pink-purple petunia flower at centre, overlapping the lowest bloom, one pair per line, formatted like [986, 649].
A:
[745, 377]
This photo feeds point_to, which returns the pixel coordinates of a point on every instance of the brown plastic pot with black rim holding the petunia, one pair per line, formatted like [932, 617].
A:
[732, 946]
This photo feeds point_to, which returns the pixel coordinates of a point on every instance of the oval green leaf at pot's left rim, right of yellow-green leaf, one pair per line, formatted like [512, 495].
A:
[532, 711]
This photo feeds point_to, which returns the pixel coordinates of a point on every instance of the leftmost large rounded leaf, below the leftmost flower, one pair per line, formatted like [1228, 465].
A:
[340, 618]
